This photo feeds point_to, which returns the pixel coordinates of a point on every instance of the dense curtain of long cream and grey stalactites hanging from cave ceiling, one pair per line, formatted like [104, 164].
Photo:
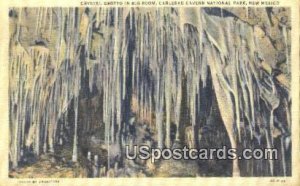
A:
[169, 46]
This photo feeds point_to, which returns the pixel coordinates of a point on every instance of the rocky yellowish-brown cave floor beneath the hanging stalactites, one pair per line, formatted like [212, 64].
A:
[59, 165]
